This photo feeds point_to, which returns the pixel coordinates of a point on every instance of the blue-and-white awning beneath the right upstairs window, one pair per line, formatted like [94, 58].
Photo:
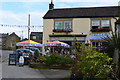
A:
[99, 36]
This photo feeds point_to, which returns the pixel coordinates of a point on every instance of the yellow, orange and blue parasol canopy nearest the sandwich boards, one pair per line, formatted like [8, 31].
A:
[29, 43]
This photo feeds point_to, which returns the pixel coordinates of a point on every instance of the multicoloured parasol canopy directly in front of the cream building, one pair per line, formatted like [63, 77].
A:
[57, 43]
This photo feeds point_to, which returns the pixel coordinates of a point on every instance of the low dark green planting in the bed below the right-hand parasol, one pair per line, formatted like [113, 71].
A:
[57, 59]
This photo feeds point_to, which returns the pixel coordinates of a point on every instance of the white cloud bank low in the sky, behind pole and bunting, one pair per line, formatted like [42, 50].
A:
[10, 18]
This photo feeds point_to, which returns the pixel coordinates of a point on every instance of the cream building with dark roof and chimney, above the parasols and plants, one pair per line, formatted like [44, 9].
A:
[88, 25]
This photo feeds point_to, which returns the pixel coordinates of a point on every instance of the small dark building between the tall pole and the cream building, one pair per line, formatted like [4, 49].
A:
[36, 36]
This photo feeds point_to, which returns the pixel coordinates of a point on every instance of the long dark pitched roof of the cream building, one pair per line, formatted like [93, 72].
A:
[85, 12]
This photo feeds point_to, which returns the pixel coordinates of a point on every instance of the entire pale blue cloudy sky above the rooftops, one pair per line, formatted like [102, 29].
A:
[14, 13]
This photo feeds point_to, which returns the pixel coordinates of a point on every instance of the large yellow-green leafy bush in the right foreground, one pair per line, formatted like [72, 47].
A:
[92, 63]
